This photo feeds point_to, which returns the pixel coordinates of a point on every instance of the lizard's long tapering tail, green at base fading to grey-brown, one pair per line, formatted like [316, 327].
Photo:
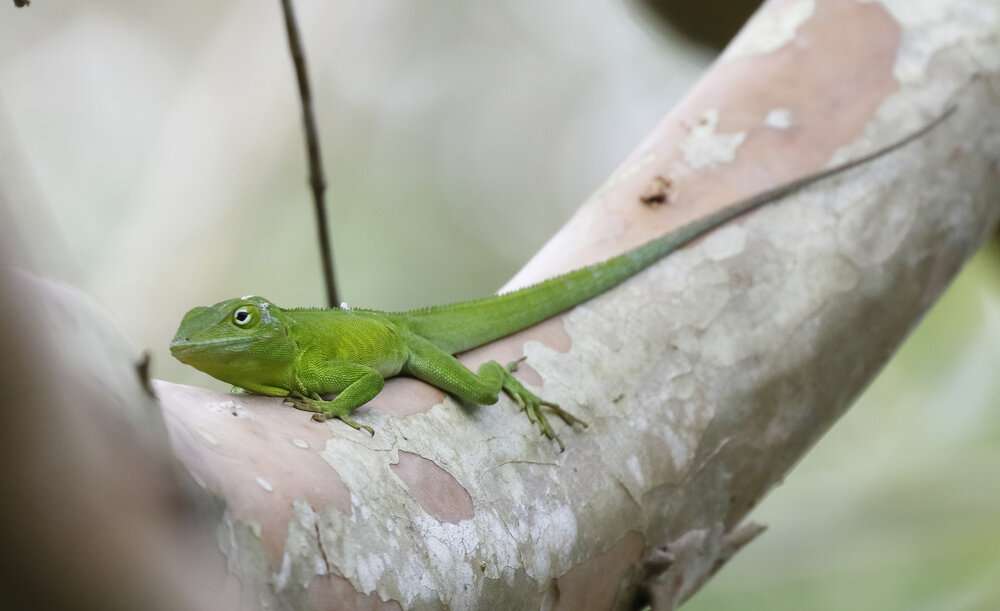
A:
[461, 326]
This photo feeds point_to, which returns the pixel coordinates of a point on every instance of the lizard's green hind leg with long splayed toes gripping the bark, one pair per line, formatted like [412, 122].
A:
[435, 366]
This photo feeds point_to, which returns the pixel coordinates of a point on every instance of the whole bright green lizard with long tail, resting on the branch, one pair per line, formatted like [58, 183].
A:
[305, 354]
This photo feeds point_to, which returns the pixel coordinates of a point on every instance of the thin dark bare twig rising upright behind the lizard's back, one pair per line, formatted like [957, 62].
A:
[316, 179]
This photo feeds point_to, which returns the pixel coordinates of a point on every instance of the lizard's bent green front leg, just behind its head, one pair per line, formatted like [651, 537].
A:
[364, 384]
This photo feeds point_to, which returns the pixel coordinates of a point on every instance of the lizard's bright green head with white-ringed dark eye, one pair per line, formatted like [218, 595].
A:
[234, 340]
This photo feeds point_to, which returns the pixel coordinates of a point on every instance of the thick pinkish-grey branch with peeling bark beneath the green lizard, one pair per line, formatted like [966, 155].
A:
[705, 378]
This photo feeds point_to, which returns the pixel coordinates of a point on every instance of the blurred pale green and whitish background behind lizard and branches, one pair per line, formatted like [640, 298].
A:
[153, 156]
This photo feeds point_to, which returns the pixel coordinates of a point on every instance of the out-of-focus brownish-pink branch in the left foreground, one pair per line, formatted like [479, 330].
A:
[98, 515]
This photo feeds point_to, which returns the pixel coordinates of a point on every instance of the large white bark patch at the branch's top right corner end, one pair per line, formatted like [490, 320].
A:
[930, 26]
